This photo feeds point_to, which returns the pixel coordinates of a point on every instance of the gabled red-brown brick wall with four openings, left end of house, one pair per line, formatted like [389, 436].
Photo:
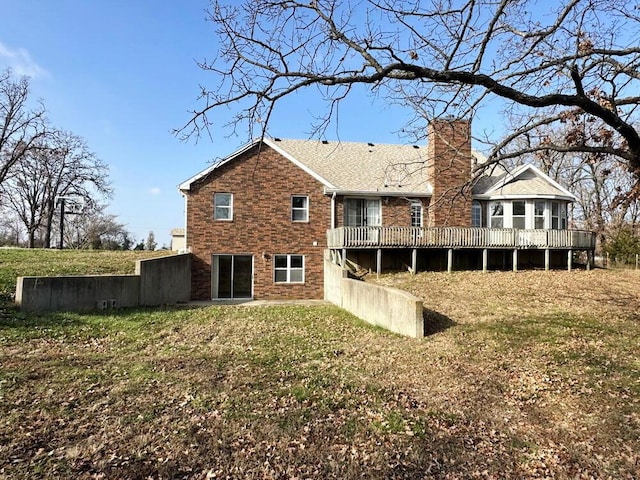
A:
[262, 183]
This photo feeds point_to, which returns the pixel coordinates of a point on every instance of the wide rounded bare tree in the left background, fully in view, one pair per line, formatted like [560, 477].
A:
[62, 165]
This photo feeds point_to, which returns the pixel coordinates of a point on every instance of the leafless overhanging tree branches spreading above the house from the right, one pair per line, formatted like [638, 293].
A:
[540, 61]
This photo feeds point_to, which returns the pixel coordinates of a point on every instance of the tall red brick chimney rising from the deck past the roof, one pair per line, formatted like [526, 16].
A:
[448, 171]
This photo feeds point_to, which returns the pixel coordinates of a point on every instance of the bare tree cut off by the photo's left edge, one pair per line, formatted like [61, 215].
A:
[21, 127]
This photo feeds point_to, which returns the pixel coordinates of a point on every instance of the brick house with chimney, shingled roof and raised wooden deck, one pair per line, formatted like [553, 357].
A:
[259, 221]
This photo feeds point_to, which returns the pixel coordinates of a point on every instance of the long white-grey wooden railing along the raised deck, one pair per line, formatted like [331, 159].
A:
[458, 237]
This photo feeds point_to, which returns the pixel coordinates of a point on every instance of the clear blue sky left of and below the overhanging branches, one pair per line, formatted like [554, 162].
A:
[122, 74]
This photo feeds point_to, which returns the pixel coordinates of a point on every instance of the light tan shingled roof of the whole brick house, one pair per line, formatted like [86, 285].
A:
[390, 169]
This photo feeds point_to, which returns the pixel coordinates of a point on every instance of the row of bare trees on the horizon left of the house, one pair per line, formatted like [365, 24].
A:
[48, 174]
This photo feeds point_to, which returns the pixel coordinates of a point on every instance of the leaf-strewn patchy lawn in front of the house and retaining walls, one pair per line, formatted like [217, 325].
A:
[523, 375]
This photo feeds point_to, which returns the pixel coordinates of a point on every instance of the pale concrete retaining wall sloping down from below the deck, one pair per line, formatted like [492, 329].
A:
[386, 307]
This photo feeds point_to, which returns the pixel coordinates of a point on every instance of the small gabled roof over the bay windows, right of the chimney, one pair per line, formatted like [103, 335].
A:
[525, 181]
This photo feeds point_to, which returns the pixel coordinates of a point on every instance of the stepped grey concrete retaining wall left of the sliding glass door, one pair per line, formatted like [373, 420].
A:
[164, 280]
